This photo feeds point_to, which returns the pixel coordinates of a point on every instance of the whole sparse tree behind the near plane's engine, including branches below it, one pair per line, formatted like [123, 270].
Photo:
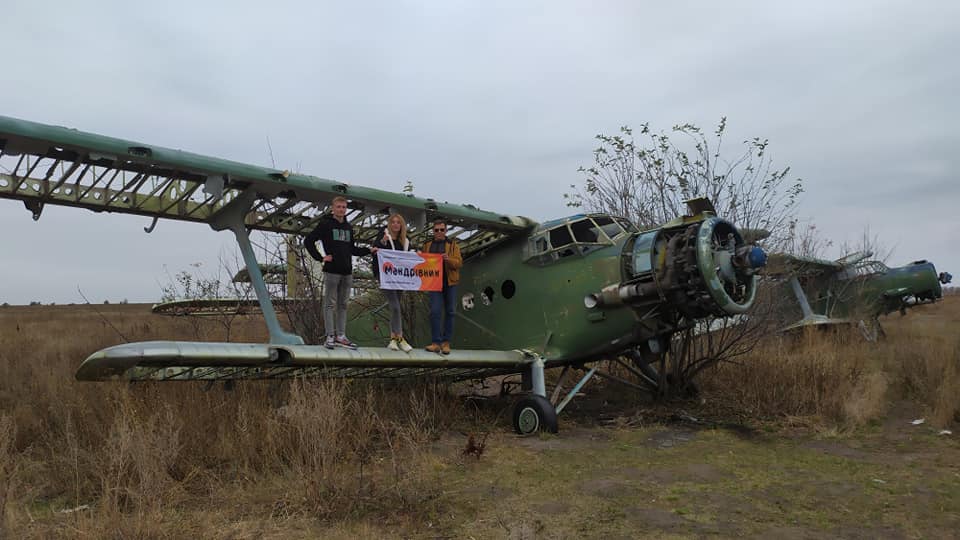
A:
[648, 181]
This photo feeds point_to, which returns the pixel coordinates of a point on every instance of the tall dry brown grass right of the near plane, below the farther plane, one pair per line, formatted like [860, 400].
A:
[837, 377]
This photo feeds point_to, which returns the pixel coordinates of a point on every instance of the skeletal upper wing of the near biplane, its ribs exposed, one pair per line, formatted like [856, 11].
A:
[42, 164]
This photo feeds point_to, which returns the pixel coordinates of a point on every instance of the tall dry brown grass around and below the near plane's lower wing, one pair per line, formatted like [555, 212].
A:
[124, 461]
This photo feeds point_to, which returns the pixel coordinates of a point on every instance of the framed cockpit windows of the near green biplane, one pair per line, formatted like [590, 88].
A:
[575, 235]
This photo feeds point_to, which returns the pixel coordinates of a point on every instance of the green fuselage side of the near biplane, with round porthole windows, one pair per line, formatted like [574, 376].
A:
[512, 304]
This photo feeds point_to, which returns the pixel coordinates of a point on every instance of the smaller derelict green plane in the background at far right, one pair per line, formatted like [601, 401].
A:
[853, 290]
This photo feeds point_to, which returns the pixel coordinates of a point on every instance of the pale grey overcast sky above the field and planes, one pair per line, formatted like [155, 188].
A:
[491, 103]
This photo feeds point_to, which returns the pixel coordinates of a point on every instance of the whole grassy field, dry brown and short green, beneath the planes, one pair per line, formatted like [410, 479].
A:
[810, 437]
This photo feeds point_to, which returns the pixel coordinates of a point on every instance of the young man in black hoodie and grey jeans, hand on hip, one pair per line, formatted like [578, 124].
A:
[337, 248]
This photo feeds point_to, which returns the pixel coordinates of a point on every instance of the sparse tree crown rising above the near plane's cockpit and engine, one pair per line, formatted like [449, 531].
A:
[648, 181]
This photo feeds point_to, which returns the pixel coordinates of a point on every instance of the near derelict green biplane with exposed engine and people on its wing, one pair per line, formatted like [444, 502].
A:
[563, 293]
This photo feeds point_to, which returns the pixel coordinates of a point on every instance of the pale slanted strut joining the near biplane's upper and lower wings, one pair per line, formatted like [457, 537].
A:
[231, 217]
